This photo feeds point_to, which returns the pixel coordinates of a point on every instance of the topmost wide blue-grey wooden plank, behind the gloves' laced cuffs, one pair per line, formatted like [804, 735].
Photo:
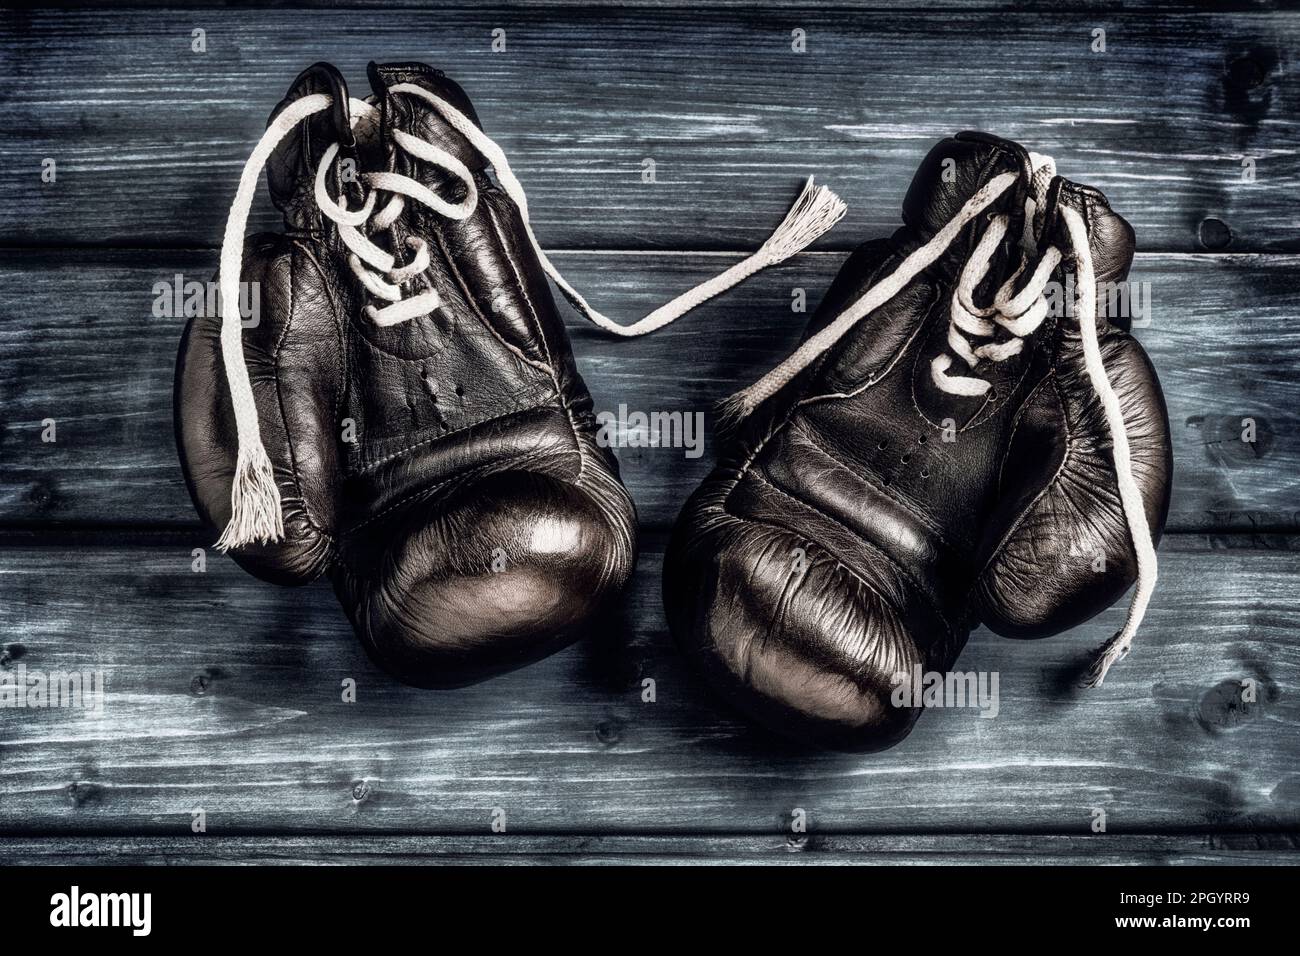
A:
[149, 148]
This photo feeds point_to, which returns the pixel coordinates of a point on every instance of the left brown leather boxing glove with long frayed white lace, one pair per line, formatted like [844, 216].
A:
[406, 416]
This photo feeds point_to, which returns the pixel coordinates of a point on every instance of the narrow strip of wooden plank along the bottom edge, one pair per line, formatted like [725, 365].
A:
[944, 850]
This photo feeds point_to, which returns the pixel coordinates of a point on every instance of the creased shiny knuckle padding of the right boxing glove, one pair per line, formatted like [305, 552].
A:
[805, 631]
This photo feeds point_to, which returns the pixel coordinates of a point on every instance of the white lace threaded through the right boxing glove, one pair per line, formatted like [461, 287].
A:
[1020, 314]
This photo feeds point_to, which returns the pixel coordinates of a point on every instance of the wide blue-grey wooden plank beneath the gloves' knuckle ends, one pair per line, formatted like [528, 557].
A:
[224, 695]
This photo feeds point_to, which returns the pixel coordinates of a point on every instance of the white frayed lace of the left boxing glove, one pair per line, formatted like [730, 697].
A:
[254, 495]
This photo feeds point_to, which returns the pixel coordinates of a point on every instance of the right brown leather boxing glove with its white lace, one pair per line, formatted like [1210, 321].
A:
[960, 438]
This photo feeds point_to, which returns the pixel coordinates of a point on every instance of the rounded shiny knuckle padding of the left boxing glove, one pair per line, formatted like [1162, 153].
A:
[495, 573]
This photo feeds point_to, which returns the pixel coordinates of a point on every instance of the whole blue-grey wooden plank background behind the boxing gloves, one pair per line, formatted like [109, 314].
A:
[224, 693]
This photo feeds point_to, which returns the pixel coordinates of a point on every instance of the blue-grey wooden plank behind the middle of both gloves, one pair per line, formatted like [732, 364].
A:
[79, 344]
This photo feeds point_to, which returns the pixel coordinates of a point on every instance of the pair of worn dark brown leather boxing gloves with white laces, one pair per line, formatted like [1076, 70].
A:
[959, 440]
